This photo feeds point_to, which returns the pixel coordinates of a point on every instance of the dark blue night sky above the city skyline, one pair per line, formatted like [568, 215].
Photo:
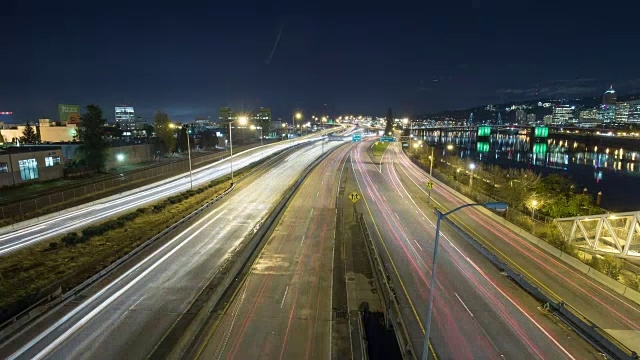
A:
[191, 58]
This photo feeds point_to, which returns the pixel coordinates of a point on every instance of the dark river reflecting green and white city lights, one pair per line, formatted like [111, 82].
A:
[598, 163]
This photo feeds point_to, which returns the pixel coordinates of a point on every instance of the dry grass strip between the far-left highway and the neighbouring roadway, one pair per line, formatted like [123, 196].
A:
[28, 275]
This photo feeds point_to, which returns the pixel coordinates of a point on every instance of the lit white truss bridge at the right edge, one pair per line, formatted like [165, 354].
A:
[614, 234]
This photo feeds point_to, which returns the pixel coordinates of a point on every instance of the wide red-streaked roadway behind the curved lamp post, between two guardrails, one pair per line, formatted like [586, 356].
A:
[477, 313]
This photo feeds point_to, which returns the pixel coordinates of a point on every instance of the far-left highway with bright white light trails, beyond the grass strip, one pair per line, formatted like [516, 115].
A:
[29, 232]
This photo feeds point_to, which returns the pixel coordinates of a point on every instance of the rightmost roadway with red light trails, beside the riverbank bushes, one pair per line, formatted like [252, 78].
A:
[612, 312]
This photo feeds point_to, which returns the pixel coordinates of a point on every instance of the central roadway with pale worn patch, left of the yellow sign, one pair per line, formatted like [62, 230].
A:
[283, 308]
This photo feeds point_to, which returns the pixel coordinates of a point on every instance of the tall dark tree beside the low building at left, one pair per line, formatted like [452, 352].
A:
[94, 146]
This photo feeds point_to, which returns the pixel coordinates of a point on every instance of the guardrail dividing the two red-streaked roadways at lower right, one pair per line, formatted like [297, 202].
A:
[572, 317]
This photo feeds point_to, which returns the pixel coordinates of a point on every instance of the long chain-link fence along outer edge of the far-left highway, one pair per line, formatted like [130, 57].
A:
[69, 197]
